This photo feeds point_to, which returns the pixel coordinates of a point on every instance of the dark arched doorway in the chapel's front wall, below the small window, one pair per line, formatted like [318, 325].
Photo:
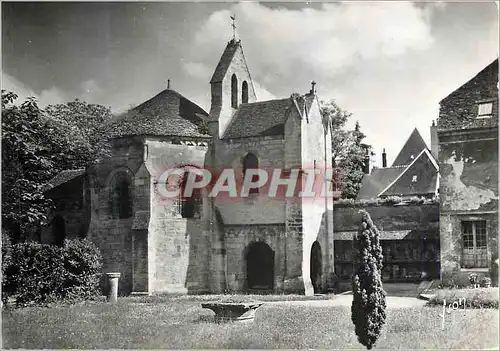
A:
[260, 266]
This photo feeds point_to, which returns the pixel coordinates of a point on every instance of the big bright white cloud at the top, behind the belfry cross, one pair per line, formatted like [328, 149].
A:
[324, 40]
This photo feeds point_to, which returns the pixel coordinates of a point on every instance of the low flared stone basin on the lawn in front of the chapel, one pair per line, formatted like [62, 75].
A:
[231, 311]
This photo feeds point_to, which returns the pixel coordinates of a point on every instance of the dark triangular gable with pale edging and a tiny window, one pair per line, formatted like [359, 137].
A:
[417, 179]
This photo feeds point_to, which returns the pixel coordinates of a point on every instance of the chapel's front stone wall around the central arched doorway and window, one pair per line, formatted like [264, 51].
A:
[246, 220]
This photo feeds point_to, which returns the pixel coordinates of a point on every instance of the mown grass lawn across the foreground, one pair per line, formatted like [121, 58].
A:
[181, 323]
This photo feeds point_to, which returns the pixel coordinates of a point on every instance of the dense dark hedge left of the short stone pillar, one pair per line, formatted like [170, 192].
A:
[39, 273]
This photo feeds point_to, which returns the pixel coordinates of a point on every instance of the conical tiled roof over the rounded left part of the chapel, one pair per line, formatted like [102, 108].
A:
[167, 114]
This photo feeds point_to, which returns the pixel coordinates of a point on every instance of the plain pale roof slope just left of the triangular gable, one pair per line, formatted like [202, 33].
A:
[372, 184]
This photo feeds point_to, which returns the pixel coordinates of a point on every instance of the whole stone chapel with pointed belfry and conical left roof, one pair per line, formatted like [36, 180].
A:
[203, 244]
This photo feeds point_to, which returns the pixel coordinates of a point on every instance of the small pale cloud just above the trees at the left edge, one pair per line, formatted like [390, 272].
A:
[46, 97]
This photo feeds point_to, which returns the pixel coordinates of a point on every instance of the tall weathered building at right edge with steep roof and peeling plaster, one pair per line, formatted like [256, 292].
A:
[468, 158]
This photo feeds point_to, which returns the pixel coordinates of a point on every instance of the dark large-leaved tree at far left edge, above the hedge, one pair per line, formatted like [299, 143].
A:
[27, 165]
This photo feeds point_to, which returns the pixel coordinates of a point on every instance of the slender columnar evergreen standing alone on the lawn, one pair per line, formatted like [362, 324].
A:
[368, 304]
